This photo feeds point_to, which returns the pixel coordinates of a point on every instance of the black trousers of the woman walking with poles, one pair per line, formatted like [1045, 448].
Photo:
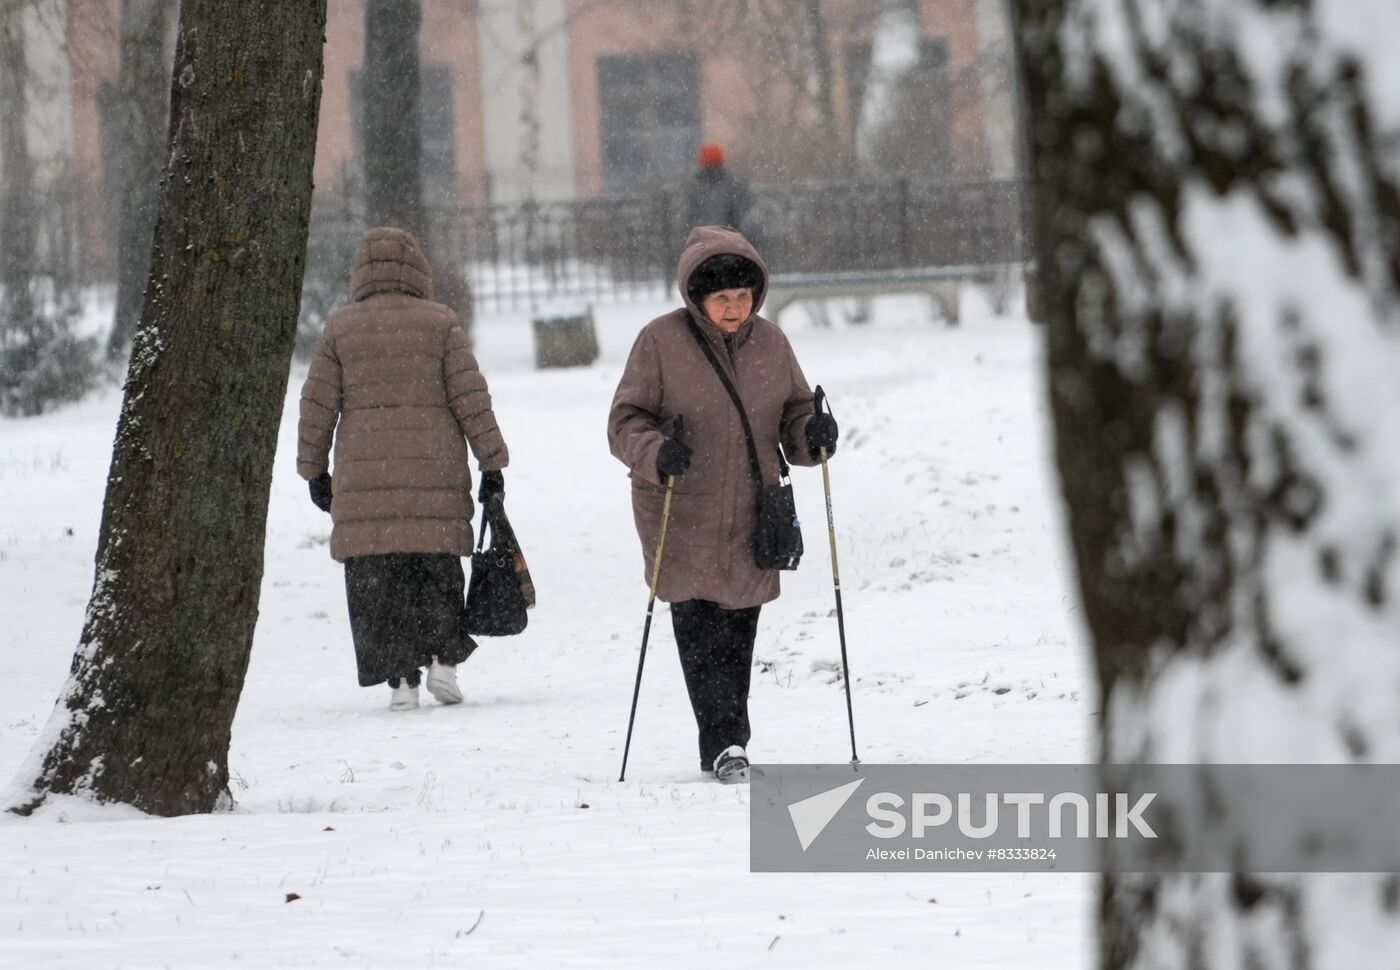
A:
[716, 657]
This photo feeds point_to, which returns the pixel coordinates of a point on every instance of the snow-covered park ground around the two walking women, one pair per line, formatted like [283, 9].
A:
[496, 834]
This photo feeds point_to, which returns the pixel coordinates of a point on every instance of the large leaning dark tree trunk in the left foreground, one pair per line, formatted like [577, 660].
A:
[145, 717]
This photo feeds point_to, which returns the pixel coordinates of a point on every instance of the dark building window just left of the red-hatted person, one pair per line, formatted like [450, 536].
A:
[650, 118]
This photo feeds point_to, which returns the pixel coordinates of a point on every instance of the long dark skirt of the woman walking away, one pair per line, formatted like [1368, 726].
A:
[405, 608]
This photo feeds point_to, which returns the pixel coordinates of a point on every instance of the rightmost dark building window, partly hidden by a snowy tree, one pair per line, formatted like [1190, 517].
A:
[919, 142]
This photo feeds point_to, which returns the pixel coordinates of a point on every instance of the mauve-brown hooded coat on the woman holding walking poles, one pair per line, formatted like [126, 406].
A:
[709, 544]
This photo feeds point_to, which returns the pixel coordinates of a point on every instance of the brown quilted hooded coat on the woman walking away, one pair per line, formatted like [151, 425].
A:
[397, 387]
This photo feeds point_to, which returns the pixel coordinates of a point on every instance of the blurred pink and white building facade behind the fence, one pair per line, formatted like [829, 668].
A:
[548, 100]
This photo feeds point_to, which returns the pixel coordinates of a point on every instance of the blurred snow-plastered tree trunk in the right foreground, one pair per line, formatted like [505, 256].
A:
[1219, 254]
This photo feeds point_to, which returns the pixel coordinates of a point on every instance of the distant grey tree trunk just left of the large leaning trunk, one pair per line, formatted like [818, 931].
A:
[145, 122]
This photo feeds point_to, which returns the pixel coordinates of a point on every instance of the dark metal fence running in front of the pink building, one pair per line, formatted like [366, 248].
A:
[618, 248]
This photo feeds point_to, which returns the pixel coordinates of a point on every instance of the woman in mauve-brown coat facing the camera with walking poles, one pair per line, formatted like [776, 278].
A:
[709, 573]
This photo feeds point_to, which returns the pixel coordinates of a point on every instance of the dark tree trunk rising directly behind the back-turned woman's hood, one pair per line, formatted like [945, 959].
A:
[394, 141]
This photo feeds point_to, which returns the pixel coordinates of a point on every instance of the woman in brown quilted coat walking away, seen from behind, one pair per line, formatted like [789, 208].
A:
[395, 386]
